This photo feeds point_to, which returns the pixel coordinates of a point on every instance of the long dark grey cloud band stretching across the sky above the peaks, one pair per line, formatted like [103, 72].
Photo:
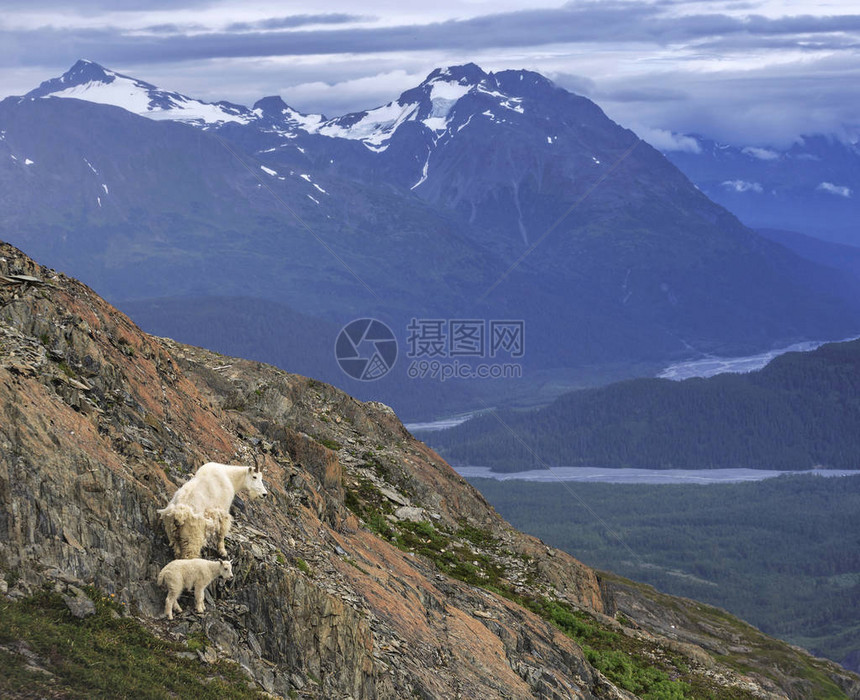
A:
[577, 23]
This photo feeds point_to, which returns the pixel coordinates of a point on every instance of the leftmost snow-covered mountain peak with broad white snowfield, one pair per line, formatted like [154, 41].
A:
[91, 82]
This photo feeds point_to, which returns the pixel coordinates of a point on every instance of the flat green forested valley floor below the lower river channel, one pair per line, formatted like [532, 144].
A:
[782, 553]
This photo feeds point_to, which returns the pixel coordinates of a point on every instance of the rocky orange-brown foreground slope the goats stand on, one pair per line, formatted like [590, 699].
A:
[372, 571]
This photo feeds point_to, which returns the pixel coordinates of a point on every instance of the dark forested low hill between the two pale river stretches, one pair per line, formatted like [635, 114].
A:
[801, 411]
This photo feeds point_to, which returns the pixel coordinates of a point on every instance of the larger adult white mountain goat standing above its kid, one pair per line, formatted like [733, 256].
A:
[200, 509]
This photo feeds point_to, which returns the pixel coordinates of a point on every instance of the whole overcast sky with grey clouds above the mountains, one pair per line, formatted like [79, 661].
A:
[742, 72]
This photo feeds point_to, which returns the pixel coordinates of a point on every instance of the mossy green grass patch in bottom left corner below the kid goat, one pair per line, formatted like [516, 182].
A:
[46, 652]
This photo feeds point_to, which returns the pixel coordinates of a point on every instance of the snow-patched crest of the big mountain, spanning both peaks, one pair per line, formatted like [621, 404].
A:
[442, 105]
